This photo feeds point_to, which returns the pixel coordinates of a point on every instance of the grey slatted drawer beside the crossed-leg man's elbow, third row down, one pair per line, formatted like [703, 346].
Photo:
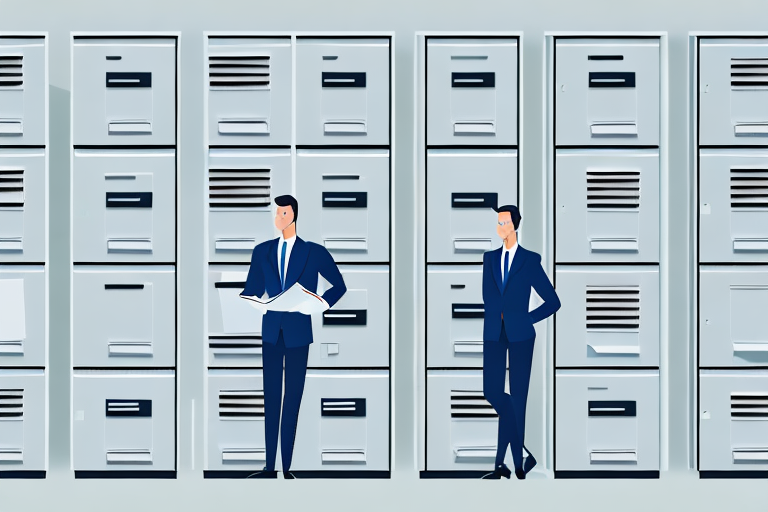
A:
[609, 316]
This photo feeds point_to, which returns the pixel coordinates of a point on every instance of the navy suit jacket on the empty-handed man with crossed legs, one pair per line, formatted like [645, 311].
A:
[513, 299]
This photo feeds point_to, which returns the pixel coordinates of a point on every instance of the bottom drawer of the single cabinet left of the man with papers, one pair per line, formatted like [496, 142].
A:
[124, 420]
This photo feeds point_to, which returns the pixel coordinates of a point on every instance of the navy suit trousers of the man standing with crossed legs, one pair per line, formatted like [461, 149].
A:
[510, 407]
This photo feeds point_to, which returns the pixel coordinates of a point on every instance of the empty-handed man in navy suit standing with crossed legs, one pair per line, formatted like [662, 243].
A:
[509, 273]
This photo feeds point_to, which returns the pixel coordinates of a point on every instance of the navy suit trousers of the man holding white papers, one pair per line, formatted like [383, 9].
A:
[295, 360]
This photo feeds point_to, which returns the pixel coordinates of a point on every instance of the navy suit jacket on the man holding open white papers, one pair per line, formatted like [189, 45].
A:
[307, 260]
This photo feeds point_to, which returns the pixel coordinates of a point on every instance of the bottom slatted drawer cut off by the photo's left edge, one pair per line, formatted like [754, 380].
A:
[23, 439]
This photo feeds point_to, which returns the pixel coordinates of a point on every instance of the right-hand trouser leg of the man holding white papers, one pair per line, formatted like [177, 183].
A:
[295, 374]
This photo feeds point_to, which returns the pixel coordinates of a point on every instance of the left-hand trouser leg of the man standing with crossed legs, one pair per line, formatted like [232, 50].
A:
[494, 373]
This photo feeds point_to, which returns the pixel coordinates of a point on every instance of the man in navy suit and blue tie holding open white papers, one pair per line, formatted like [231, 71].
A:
[276, 265]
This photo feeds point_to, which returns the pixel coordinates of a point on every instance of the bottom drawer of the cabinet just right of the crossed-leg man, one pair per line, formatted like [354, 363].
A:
[607, 420]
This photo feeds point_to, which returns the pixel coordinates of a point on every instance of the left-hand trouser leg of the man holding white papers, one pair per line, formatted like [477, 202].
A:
[272, 360]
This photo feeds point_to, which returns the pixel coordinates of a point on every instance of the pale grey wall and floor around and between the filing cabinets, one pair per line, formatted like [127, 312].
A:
[678, 489]
